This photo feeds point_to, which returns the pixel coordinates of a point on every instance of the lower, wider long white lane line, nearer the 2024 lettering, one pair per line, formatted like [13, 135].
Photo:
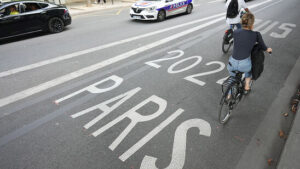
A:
[44, 86]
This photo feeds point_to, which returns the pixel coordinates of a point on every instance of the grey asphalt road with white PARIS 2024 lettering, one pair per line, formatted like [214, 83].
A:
[112, 93]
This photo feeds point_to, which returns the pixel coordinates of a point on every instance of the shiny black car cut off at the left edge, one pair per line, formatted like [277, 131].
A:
[23, 17]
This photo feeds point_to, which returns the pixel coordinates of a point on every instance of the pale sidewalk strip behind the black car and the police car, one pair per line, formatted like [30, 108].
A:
[81, 7]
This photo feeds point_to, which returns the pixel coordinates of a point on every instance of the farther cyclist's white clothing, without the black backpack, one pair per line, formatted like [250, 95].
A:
[236, 20]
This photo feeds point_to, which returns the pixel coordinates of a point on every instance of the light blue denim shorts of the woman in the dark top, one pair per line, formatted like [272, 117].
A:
[240, 65]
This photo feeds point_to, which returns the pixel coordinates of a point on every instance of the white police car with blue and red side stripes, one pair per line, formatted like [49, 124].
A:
[159, 9]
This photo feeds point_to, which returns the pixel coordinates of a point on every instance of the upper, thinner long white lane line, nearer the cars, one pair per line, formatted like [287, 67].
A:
[90, 50]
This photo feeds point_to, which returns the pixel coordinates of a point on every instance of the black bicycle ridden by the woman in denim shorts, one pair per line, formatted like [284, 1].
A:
[232, 89]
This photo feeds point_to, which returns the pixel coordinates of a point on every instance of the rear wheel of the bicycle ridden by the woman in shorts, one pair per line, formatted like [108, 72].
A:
[225, 109]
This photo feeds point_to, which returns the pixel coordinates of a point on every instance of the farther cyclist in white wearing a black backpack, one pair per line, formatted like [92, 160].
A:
[234, 7]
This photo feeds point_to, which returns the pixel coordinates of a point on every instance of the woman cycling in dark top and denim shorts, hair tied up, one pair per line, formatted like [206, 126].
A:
[244, 41]
